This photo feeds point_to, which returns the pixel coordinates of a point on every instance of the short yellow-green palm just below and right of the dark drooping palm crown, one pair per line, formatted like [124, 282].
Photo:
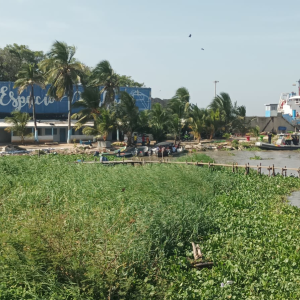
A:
[104, 123]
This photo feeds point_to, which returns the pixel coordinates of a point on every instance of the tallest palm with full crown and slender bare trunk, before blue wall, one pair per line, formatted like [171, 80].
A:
[62, 71]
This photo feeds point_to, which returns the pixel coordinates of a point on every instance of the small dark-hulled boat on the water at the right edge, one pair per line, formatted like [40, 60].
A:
[285, 142]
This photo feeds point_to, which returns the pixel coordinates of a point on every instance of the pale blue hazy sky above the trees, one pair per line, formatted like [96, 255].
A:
[251, 47]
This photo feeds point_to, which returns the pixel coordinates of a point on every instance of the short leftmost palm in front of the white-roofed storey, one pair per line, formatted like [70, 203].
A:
[18, 122]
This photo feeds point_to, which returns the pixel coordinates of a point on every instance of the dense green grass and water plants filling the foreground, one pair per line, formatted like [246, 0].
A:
[124, 232]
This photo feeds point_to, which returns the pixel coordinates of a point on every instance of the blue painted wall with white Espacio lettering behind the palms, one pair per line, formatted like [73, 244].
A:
[10, 100]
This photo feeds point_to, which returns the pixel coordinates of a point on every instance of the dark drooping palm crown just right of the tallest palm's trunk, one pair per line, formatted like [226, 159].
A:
[90, 103]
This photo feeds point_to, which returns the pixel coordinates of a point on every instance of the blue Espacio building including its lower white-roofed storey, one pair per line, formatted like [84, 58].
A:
[51, 114]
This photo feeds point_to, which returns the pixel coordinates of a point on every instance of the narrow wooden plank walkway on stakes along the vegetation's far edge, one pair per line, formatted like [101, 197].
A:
[271, 169]
